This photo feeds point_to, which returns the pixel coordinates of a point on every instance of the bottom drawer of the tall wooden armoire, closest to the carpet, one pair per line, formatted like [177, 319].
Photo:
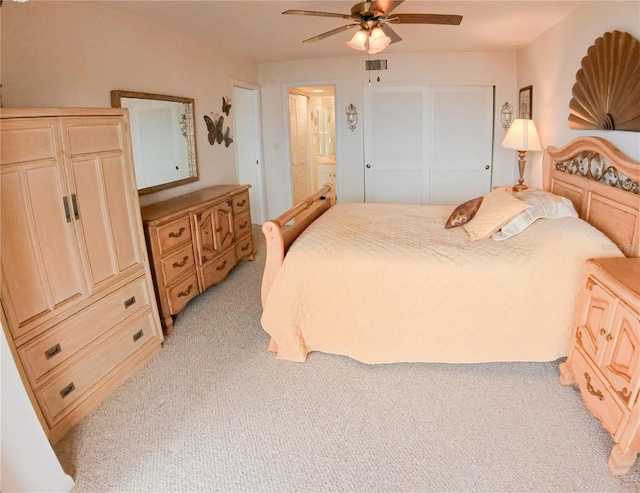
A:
[68, 389]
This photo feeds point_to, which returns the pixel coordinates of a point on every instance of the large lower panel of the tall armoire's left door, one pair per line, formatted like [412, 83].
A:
[41, 271]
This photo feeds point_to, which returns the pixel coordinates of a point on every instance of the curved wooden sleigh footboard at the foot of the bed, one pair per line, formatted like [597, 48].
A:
[279, 235]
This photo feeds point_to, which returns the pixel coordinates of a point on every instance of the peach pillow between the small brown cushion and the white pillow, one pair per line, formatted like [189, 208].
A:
[496, 210]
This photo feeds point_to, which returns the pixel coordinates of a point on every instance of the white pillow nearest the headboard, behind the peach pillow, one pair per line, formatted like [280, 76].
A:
[543, 205]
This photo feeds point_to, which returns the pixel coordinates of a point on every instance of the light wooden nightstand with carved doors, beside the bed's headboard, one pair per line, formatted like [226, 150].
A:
[605, 358]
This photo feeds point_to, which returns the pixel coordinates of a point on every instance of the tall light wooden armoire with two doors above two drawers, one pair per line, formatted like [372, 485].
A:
[77, 295]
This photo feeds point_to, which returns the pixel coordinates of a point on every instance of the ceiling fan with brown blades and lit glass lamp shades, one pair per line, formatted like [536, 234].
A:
[373, 19]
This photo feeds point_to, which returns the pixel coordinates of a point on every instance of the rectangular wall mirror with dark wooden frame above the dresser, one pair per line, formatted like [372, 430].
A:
[162, 137]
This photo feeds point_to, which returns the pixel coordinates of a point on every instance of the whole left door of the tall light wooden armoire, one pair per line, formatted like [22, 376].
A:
[41, 268]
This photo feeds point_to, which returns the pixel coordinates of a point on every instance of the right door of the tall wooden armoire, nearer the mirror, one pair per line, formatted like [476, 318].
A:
[107, 218]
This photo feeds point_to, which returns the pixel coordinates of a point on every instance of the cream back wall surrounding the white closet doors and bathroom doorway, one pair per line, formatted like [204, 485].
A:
[349, 76]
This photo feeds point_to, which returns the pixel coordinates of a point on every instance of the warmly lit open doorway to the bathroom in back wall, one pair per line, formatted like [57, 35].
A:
[312, 137]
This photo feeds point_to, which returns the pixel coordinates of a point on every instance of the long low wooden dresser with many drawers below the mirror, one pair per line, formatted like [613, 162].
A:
[194, 241]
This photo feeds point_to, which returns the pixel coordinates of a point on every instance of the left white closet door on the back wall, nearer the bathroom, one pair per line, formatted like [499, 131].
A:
[396, 133]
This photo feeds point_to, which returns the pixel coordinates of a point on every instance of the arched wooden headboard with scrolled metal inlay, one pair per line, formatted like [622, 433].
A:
[602, 183]
